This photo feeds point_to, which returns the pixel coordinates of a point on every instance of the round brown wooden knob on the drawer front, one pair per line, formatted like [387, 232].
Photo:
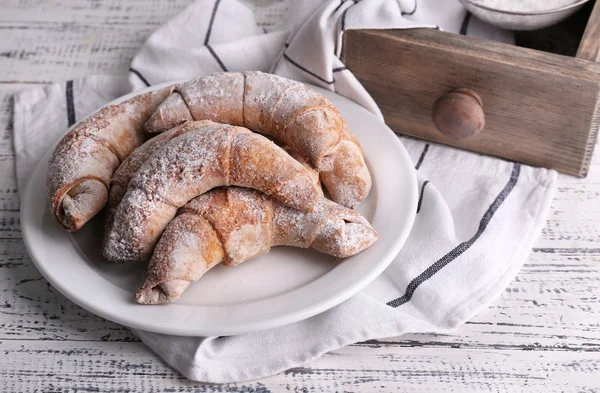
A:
[459, 114]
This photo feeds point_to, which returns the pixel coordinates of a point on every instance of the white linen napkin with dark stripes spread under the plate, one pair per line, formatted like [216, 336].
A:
[477, 216]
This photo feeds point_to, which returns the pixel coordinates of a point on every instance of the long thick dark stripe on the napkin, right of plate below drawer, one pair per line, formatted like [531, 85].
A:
[462, 247]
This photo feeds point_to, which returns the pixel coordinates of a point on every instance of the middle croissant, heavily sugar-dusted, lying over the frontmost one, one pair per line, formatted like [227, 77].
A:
[210, 156]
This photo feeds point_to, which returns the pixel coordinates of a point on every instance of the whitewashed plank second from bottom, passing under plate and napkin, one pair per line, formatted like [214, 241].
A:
[552, 304]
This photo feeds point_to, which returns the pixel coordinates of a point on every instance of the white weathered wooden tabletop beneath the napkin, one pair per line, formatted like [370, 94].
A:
[543, 334]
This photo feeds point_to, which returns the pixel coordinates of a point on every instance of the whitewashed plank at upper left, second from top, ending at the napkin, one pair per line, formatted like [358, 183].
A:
[53, 52]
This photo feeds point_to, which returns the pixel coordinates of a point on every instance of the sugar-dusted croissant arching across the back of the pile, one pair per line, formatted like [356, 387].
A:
[284, 109]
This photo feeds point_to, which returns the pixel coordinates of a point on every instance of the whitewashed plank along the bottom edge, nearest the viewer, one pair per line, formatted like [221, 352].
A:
[49, 366]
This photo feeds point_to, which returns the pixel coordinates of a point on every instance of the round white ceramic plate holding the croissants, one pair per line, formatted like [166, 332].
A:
[282, 287]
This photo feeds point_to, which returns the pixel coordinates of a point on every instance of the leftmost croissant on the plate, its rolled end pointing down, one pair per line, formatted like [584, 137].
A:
[85, 159]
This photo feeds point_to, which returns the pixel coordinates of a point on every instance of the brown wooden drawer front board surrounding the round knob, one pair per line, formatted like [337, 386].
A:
[541, 109]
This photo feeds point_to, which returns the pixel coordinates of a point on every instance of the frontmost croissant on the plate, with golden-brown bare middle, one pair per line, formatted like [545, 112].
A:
[232, 225]
